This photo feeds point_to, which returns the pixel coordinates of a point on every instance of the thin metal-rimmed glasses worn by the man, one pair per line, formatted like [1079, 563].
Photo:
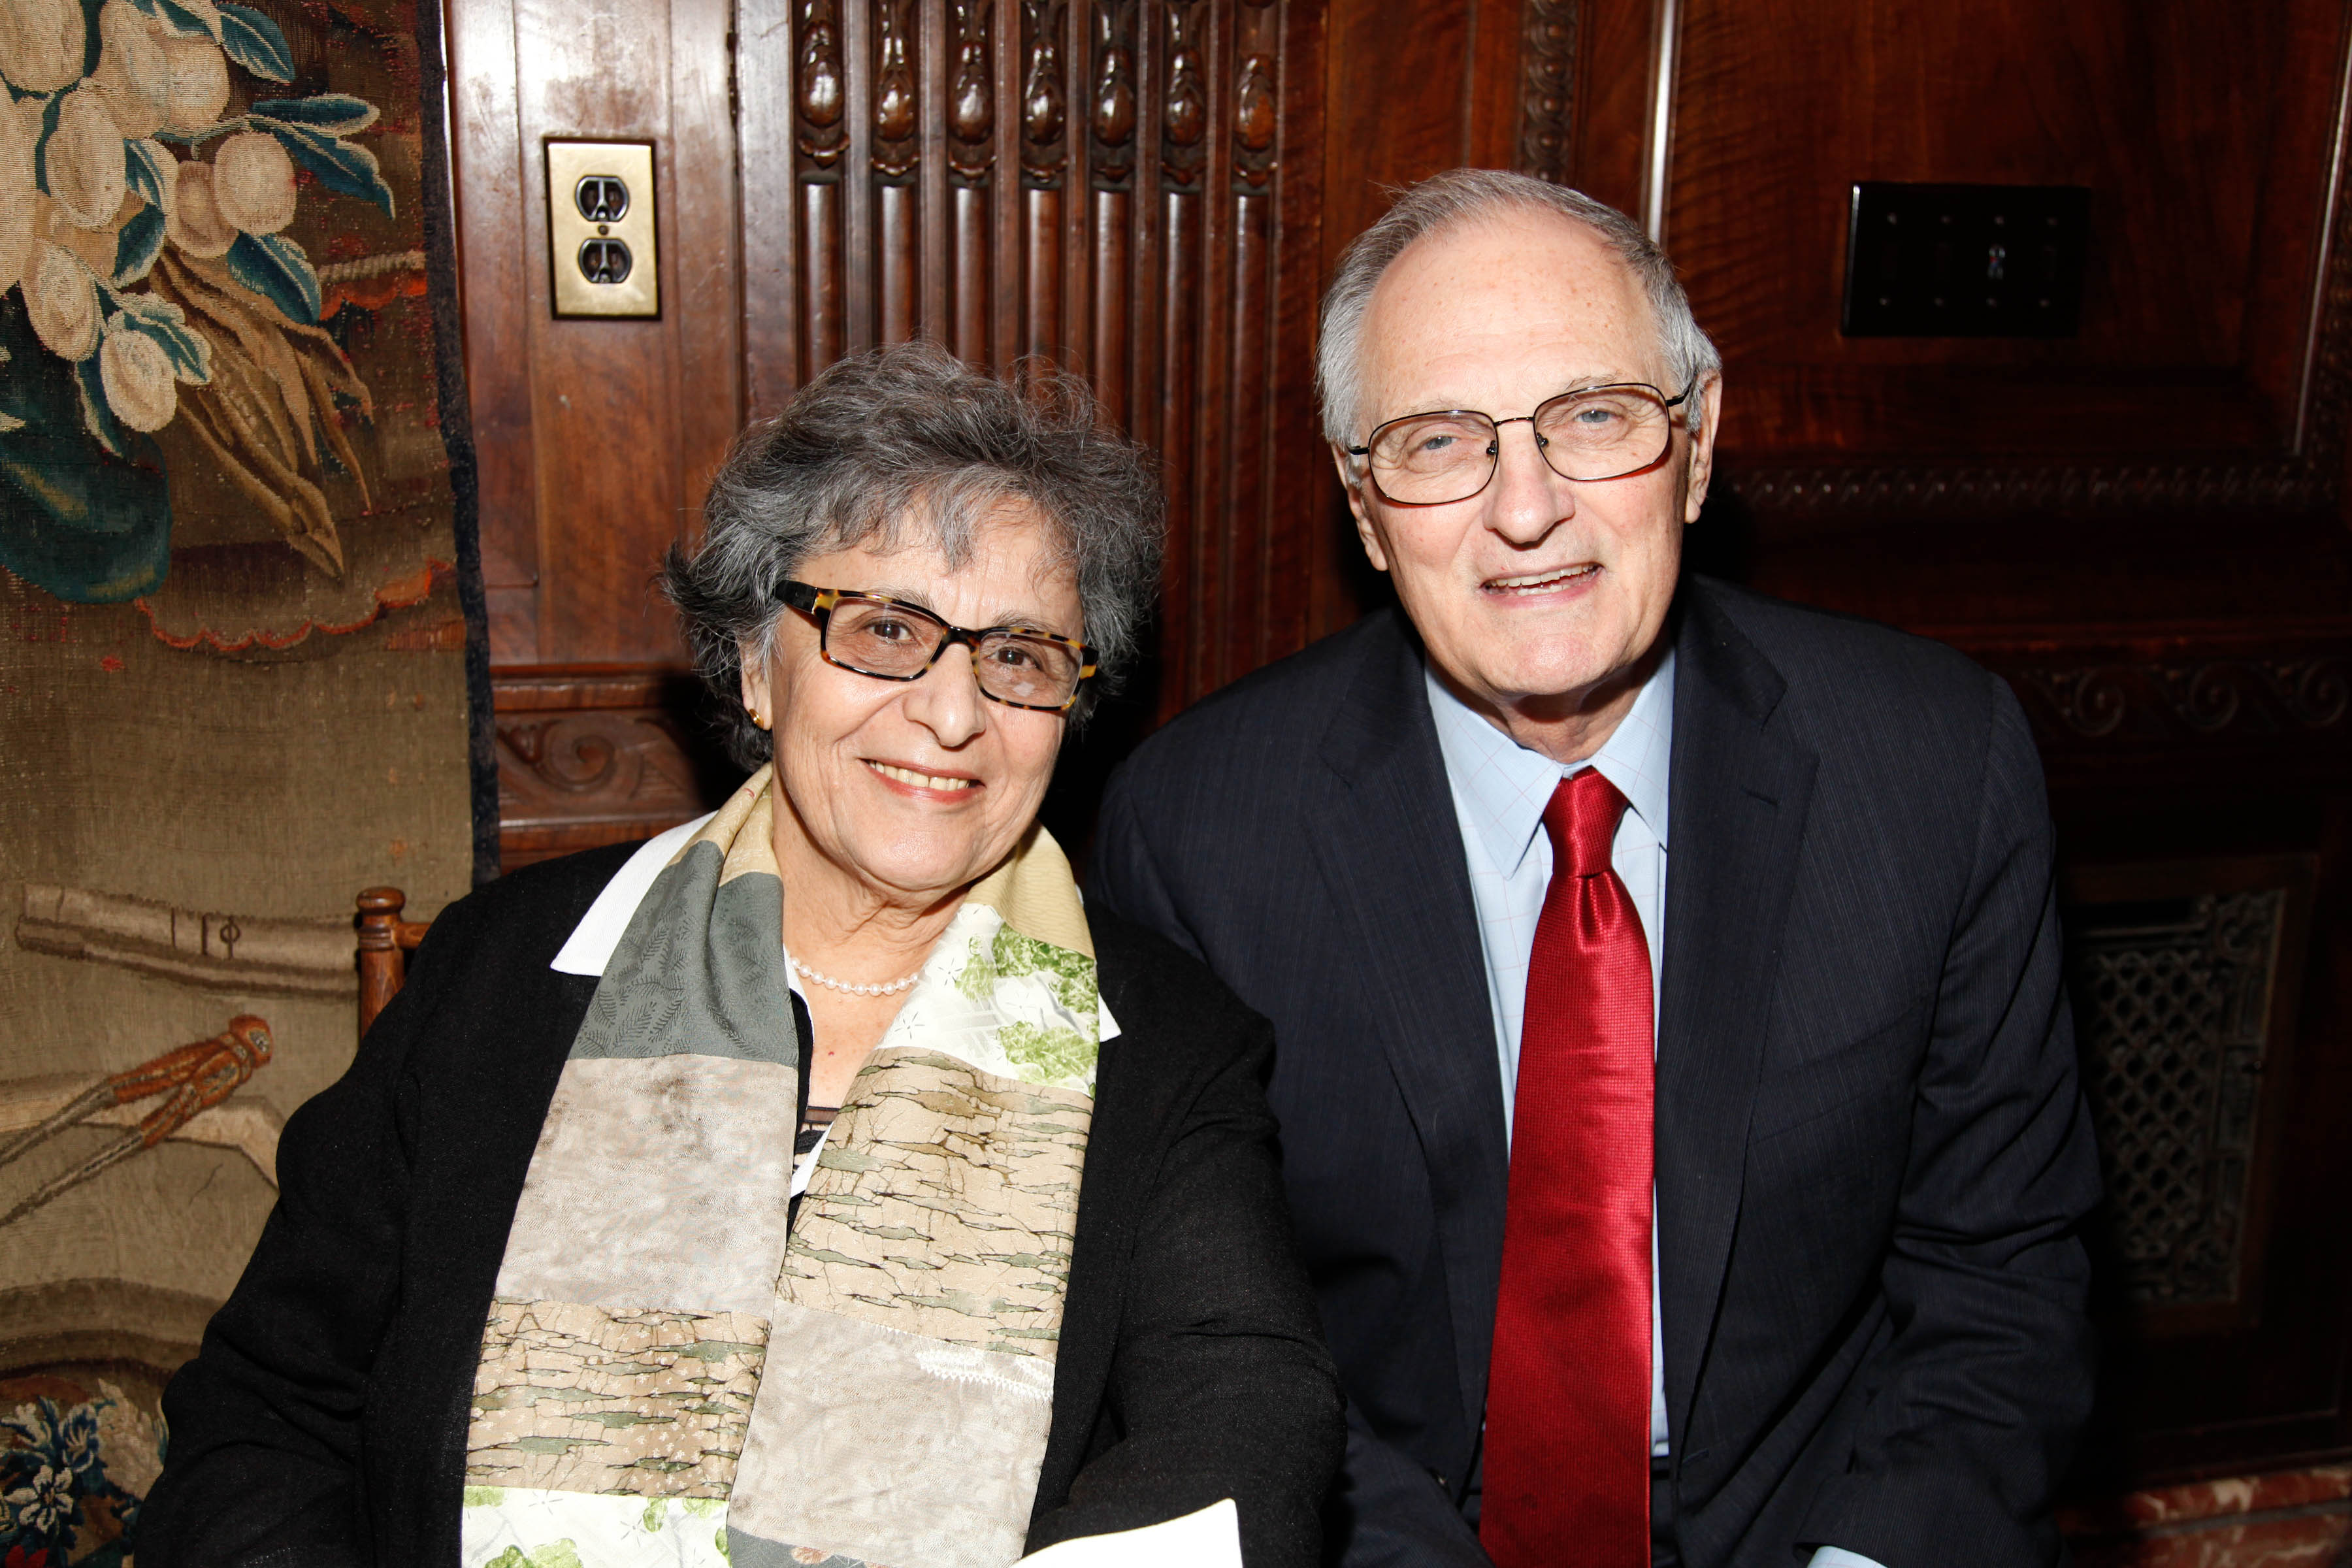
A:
[1589, 436]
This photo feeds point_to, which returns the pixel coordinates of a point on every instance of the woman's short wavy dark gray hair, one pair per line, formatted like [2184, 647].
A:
[904, 448]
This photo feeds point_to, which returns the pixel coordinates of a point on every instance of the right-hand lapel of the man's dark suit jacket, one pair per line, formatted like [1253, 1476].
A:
[1739, 803]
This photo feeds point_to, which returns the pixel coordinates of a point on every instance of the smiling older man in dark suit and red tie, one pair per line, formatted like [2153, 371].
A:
[1676, 1087]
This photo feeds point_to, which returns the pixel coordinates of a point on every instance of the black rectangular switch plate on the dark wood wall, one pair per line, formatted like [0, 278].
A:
[1965, 262]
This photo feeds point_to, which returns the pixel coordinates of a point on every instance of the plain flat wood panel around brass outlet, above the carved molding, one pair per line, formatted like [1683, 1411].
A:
[596, 436]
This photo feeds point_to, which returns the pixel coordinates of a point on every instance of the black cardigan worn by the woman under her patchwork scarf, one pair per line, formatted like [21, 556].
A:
[323, 1423]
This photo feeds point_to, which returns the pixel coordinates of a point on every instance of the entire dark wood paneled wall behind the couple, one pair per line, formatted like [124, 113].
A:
[2139, 528]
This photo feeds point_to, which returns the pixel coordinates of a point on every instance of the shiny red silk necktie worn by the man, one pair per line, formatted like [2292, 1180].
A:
[1568, 1391]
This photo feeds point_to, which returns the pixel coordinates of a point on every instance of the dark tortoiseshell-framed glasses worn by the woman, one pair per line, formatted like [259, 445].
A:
[871, 634]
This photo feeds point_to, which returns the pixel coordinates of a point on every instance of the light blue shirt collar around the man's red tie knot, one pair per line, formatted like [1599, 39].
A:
[1504, 786]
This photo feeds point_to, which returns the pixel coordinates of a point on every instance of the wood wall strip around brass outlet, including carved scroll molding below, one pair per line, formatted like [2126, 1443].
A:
[596, 436]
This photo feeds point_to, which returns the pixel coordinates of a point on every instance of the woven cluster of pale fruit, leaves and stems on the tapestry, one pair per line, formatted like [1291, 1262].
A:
[152, 302]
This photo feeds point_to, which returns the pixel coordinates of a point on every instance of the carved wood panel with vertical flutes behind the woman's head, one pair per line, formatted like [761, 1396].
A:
[1121, 187]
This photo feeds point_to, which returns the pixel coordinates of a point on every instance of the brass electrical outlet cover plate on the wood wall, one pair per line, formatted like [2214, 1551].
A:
[601, 229]
